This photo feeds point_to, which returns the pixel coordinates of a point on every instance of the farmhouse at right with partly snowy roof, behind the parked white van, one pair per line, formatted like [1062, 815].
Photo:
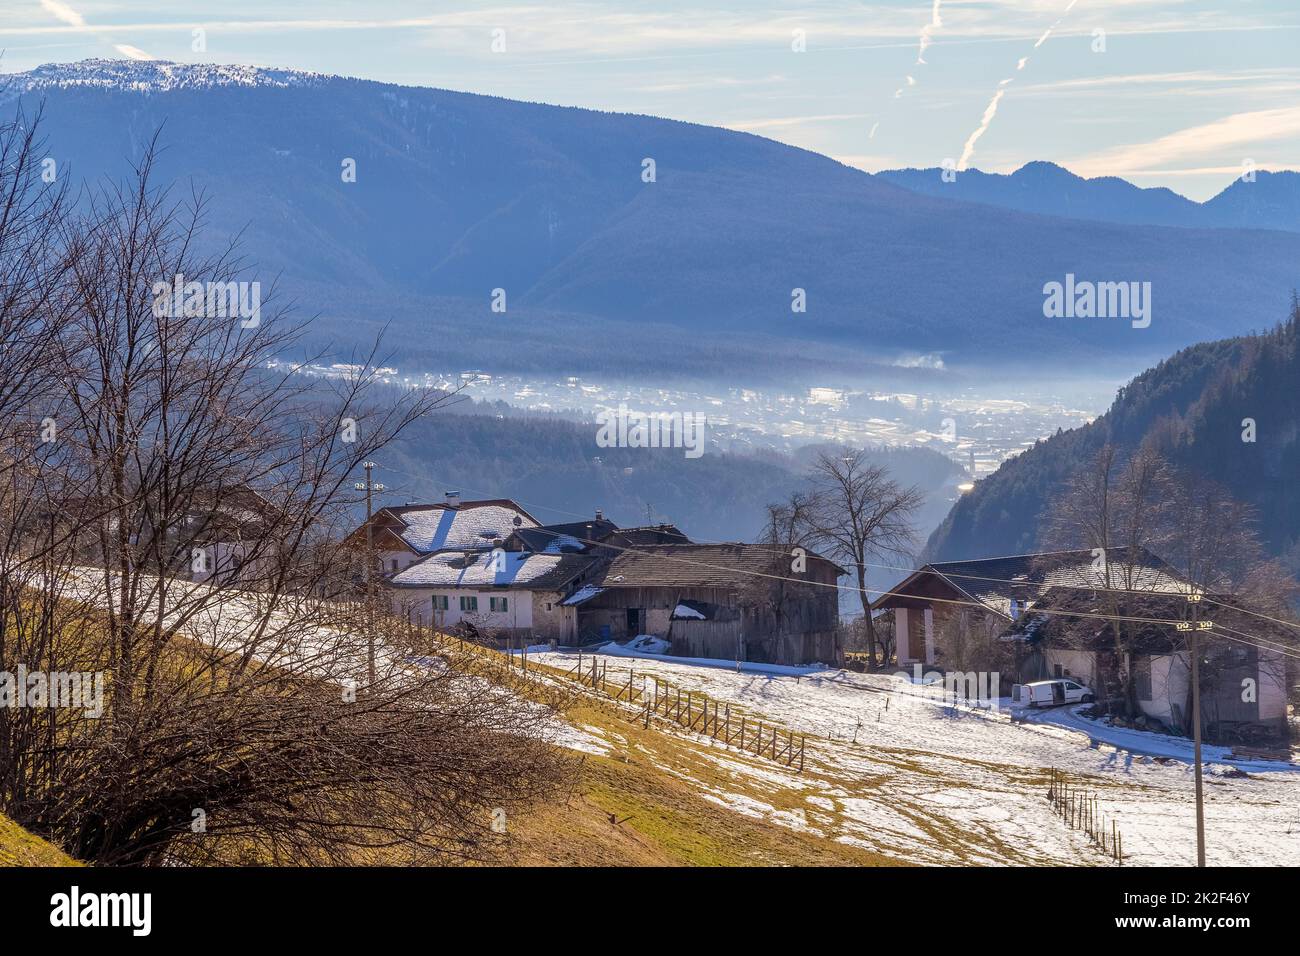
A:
[1051, 616]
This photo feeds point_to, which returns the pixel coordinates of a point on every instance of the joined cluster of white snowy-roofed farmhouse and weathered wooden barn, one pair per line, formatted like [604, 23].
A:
[492, 568]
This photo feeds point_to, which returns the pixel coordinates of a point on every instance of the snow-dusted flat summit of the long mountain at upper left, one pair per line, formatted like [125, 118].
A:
[155, 76]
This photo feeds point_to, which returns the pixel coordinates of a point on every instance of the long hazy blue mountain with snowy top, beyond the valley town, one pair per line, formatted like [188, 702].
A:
[380, 205]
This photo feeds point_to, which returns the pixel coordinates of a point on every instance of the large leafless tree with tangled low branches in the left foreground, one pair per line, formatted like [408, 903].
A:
[239, 723]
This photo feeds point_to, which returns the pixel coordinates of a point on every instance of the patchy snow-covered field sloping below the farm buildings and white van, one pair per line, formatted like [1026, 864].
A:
[912, 778]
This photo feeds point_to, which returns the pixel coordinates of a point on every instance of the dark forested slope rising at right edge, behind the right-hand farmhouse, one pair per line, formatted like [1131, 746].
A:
[1201, 409]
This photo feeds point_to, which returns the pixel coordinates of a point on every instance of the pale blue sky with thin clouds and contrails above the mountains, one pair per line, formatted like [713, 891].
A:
[1181, 96]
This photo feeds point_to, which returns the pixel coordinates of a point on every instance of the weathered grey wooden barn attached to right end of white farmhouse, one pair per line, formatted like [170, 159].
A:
[730, 602]
